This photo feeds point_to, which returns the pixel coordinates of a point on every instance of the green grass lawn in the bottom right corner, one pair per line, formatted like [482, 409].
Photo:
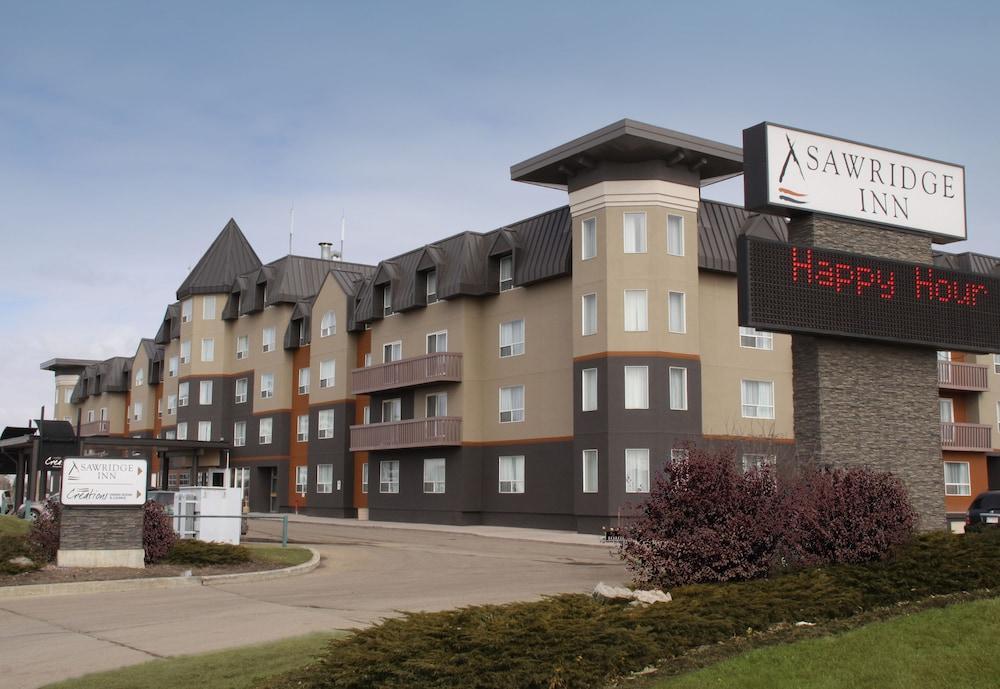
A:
[935, 649]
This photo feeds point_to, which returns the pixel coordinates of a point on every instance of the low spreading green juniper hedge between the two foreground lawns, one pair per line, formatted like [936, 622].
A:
[577, 642]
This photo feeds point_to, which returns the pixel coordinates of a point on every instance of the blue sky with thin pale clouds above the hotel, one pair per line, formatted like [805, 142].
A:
[131, 132]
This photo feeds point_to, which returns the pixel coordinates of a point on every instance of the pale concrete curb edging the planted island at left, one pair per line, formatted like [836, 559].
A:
[153, 583]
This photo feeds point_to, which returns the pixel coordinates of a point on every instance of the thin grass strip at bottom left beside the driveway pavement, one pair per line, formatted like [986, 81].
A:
[241, 668]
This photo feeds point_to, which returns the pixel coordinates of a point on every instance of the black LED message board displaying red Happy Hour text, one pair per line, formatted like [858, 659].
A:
[797, 289]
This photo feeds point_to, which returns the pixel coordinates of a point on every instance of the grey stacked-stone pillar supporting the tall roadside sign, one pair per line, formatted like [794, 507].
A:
[868, 404]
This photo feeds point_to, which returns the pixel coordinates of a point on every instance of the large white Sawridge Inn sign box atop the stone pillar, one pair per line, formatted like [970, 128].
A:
[790, 171]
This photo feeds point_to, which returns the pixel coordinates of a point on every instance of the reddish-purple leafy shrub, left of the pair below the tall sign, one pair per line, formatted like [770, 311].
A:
[704, 521]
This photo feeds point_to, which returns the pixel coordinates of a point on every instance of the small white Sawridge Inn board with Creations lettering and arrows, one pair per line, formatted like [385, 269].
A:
[106, 482]
